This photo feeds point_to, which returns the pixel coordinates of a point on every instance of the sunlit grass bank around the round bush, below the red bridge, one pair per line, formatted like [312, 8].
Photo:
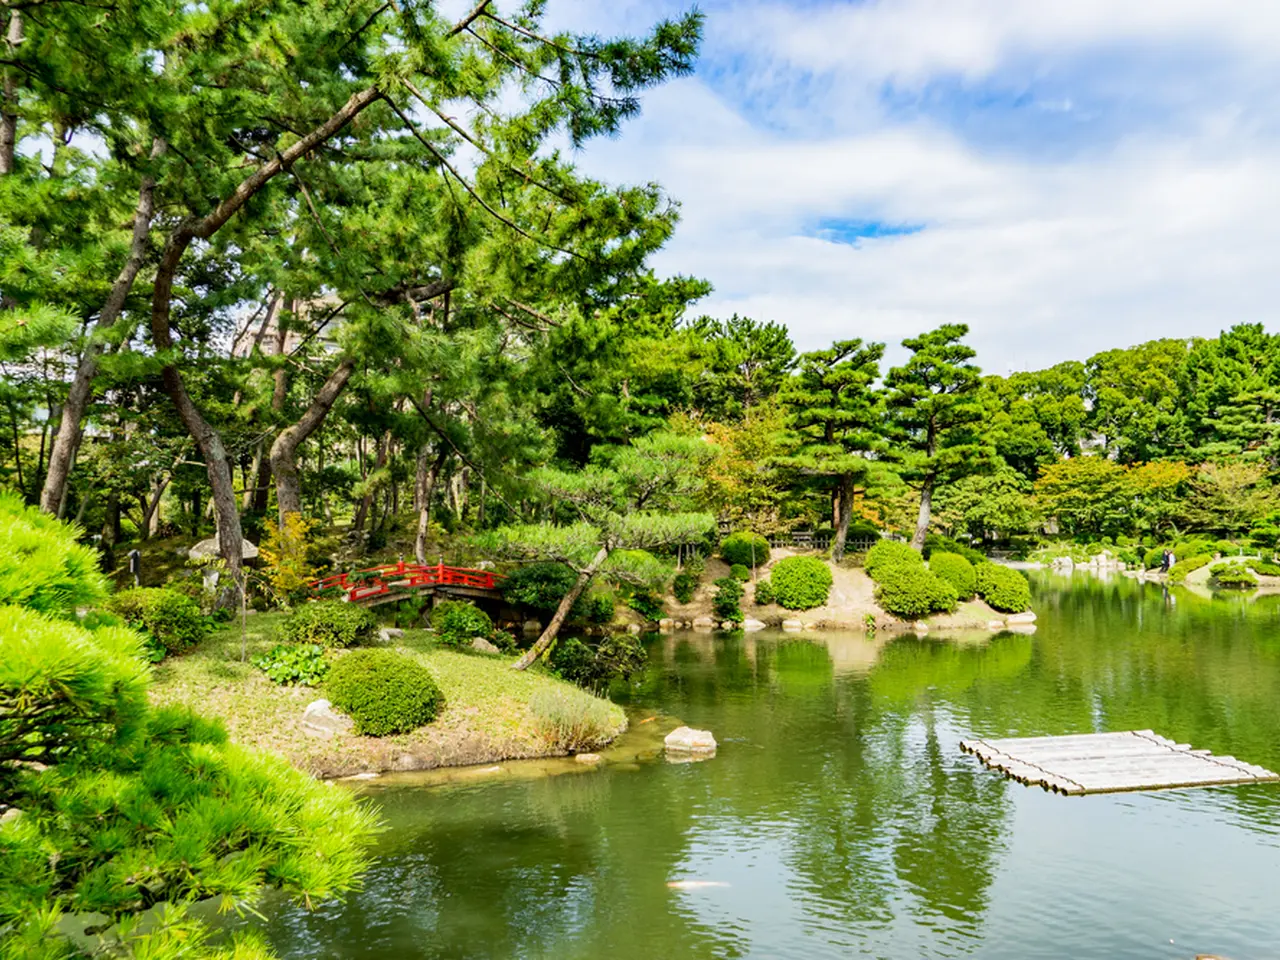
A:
[492, 712]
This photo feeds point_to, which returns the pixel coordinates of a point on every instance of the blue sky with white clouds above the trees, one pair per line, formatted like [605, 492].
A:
[1062, 176]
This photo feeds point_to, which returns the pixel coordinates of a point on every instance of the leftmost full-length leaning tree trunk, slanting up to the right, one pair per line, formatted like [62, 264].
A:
[67, 444]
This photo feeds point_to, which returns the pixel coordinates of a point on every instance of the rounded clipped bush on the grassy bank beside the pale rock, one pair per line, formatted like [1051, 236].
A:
[383, 692]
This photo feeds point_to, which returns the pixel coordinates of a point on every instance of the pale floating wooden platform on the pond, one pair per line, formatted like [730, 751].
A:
[1109, 764]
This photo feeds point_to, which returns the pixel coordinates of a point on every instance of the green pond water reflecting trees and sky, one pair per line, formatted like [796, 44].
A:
[840, 817]
